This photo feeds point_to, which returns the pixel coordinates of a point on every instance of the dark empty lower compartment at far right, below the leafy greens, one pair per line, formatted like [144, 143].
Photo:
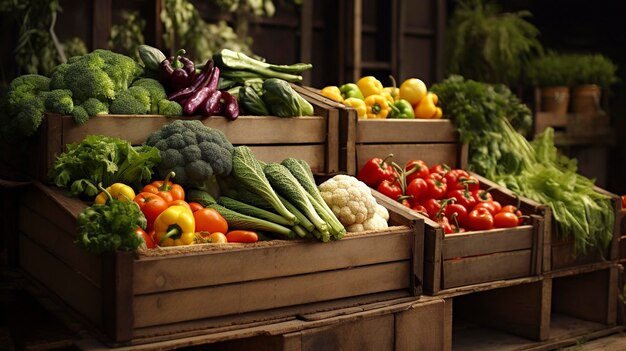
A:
[594, 288]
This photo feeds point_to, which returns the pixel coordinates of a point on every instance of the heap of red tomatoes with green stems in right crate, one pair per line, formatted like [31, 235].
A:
[452, 197]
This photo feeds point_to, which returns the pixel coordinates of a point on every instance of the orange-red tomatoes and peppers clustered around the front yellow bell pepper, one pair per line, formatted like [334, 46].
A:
[210, 226]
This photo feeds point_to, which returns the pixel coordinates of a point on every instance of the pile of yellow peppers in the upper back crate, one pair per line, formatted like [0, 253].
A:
[373, 101]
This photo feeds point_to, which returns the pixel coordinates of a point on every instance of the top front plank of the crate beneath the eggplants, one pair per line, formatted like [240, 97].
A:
[249, 130]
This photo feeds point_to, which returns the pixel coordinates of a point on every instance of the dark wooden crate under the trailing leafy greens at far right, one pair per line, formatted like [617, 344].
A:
[563, 253]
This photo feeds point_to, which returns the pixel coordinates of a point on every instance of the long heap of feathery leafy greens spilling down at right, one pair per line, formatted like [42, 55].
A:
[493, 121]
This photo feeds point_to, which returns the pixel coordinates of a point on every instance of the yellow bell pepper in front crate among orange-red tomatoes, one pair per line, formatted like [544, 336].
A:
[175, 227]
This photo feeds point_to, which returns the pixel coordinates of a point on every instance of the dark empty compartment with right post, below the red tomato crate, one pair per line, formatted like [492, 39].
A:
[522, 310]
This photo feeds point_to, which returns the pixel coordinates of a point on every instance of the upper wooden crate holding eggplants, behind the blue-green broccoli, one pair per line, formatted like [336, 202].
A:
[272, 139]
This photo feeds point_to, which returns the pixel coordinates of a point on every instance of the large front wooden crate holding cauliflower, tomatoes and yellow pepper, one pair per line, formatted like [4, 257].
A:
[140, 297]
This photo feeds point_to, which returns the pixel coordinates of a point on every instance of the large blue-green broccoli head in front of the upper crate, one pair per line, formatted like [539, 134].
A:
[196, 153]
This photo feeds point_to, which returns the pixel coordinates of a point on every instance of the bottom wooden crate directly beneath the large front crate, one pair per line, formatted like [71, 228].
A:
[394, 325]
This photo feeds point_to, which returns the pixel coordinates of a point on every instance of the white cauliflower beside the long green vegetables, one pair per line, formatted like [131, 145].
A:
[353, 203]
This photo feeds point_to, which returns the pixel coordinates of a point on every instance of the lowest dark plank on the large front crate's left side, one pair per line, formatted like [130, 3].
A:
[76, 291]
